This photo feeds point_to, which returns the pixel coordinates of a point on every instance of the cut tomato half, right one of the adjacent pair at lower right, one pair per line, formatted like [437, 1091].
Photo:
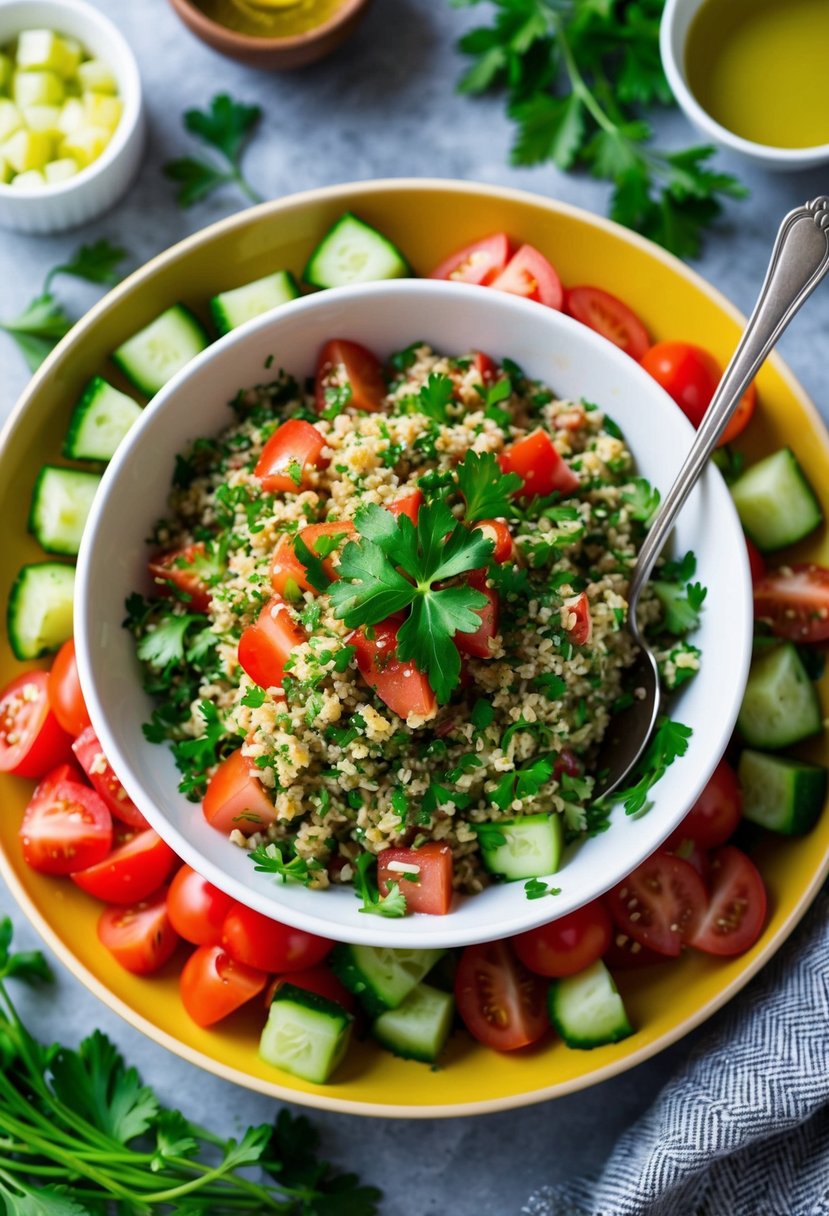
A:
[737, 909]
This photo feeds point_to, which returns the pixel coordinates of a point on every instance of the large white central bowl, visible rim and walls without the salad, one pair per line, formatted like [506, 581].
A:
[387, 317]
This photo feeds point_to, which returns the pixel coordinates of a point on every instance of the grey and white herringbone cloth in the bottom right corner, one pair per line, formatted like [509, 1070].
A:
[743, 1130]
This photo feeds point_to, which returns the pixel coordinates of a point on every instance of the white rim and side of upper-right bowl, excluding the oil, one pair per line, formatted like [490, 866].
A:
[678, 19]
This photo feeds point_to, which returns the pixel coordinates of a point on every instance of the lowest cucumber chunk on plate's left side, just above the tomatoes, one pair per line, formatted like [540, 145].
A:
[40, 615]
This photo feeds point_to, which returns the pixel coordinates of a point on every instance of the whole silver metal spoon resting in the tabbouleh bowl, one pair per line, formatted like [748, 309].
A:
[799, 262]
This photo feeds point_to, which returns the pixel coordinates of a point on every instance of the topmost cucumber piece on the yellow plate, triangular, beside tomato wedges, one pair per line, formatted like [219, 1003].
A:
[353, 252]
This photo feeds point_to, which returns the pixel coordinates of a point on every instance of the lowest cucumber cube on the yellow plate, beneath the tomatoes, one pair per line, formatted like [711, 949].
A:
[306, 1034]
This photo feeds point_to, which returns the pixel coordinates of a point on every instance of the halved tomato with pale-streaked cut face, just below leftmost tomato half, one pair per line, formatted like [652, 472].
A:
[66, 826]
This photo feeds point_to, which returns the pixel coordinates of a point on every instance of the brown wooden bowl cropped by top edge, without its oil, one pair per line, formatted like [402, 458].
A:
[274, 54]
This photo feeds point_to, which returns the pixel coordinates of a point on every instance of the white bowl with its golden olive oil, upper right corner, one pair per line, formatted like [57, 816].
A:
[753, 76]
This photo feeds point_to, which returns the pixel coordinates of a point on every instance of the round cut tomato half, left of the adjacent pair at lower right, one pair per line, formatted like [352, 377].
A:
[662, 904]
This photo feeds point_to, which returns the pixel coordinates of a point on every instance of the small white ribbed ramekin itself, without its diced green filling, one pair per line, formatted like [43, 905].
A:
[97, 188]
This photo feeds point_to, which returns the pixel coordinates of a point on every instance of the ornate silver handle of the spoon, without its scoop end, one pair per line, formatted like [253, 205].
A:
[799, 262]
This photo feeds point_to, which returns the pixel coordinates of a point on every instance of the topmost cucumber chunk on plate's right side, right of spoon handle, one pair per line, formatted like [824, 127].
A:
[775, 502]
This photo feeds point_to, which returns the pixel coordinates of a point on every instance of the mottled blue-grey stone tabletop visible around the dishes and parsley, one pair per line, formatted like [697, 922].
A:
[385, 106]
